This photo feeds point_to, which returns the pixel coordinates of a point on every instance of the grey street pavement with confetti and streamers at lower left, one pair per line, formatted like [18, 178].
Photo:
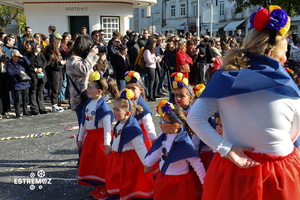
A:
[39, 156]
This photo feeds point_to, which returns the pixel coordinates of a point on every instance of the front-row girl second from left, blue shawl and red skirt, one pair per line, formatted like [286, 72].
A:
[125, 177]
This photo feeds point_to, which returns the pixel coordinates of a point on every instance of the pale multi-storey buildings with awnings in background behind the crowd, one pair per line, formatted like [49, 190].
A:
[216, 16]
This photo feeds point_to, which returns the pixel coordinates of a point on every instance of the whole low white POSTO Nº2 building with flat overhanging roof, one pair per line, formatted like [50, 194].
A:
[71, 15]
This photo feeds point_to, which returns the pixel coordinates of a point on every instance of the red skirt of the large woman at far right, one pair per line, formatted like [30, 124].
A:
[277, 177]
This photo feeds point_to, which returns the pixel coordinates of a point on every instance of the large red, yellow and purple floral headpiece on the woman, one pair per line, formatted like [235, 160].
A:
[274, 18]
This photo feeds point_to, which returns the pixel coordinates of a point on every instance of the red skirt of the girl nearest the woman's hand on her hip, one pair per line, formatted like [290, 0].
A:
[175, 187]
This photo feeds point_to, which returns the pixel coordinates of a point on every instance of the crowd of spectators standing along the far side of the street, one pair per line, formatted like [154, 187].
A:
[161, 55]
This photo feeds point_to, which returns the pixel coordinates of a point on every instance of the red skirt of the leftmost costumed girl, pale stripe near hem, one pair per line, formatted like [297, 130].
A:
[93, 160]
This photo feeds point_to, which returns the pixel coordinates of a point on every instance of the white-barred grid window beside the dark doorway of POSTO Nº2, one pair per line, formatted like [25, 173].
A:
[109, 25]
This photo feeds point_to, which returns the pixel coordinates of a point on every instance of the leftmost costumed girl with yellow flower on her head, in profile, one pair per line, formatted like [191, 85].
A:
[94, 138]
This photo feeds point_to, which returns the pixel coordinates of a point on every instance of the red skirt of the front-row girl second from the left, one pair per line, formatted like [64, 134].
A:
[125, 177]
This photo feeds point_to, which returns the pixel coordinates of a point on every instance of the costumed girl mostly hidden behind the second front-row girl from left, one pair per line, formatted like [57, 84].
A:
[145, 119]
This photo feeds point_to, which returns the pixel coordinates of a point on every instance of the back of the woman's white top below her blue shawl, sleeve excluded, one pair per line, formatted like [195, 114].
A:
[262, 120]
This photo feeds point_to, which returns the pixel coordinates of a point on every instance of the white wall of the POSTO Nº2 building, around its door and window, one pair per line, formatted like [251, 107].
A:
[39, 16]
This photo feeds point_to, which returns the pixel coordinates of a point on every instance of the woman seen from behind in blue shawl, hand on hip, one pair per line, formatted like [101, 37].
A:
[259, 105]
